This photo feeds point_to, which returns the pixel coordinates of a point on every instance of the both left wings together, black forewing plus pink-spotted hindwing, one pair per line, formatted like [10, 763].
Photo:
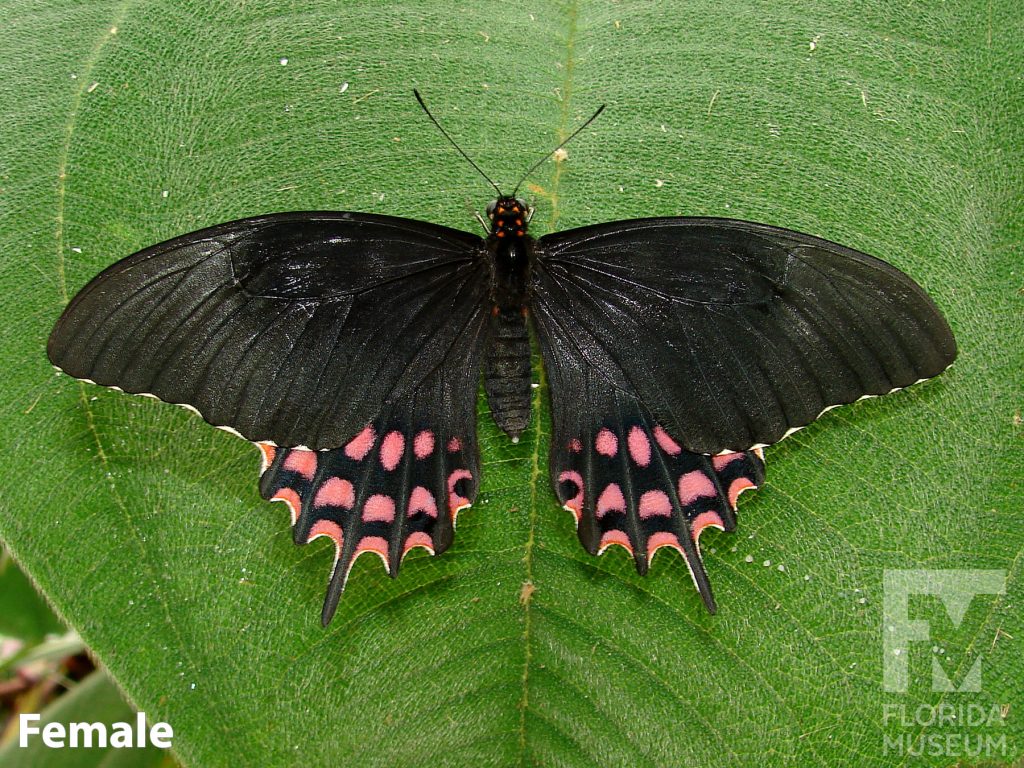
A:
[352, 342]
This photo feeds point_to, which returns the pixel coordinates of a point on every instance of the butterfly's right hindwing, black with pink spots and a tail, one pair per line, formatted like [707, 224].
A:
[624, 479]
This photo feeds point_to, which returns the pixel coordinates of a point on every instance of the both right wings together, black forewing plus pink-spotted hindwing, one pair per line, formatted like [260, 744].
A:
[691, 338]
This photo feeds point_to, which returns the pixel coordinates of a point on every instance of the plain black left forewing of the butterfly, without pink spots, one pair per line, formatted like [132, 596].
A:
[295, 329]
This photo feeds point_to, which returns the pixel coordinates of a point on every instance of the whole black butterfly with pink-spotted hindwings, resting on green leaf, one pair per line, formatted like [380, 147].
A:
[349, 347]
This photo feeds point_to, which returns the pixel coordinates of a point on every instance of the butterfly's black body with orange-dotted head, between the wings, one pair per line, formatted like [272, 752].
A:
[507, 371]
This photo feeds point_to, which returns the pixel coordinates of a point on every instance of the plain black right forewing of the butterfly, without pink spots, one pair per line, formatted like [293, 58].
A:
[733, 333]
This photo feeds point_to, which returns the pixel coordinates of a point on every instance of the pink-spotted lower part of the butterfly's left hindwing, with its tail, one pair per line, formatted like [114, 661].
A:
[392, 489]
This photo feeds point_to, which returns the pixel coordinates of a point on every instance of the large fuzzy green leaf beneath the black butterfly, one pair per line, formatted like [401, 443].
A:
[893, 129]
